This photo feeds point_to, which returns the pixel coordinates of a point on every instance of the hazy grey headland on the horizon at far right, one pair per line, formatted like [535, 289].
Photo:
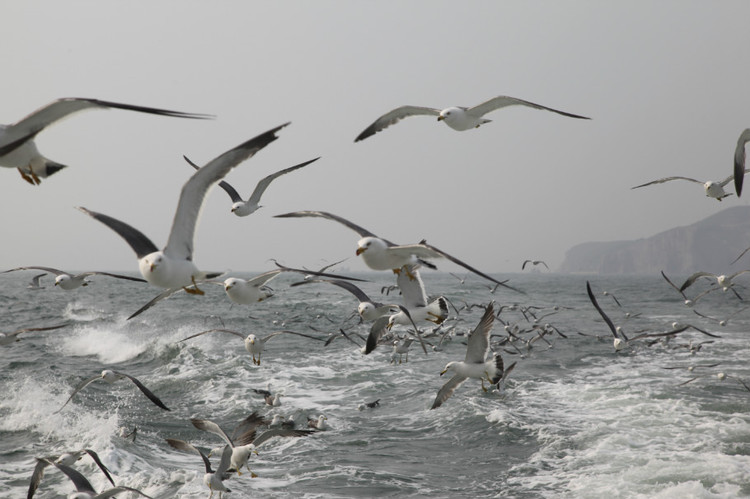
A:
[709, 245]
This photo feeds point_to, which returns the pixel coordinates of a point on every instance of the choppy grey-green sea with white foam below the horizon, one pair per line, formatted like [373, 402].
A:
[574, 419]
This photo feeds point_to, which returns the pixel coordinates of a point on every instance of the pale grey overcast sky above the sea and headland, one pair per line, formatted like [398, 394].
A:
[665, 83]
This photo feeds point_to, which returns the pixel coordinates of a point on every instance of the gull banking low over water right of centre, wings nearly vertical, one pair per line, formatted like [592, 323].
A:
[474, 365]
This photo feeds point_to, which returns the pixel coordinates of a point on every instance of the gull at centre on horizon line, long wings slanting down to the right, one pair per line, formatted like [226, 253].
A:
[381, 254]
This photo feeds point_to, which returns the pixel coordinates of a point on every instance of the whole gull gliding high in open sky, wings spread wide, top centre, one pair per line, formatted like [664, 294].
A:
[458, 118]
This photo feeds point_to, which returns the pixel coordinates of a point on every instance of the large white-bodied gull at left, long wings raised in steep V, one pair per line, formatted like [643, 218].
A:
[172, 268]
